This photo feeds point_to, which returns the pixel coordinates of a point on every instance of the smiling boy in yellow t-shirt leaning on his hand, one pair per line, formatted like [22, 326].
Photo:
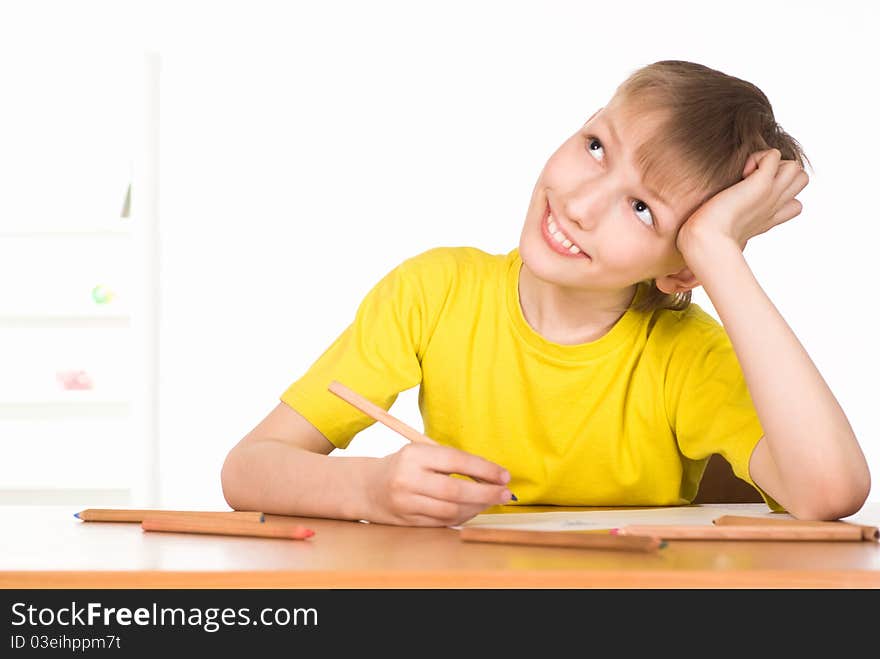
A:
[574, 370]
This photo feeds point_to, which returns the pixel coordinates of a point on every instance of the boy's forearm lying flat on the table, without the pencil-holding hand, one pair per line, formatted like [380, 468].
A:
[273, 477]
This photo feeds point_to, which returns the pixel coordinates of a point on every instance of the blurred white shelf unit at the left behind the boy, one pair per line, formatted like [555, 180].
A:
[80, 268]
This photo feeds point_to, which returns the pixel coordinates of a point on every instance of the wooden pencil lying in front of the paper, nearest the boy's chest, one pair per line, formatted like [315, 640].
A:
[578, 539]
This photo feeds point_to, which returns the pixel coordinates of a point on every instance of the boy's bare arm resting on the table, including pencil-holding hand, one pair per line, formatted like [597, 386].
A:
[282, 466]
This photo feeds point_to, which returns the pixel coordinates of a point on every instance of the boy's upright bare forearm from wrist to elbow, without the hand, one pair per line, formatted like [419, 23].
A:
[809, 437]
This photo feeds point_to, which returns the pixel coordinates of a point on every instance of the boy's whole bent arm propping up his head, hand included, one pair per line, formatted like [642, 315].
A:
[809, 459]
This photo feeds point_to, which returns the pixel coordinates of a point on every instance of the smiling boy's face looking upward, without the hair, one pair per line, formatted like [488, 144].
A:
[591, 191]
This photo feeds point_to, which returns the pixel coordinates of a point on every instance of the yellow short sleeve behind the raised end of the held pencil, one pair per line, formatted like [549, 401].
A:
[377, 355]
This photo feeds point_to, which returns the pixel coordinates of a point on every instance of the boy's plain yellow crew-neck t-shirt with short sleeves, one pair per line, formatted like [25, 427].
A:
[628, 419]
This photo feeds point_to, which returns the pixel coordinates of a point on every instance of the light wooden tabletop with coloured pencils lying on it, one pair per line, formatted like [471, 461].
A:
[46, 547]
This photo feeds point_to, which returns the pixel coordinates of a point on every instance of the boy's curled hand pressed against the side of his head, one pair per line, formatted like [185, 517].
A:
[763, 199]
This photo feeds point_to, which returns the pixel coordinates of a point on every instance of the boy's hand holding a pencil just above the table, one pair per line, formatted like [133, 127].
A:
[413, 487]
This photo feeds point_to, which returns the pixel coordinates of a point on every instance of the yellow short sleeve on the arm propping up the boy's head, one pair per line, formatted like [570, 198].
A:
[711, 410]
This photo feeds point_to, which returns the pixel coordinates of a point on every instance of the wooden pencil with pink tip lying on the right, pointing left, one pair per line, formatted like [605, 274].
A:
[758, 532]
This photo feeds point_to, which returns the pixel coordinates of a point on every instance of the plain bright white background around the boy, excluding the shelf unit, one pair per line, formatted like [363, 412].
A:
[309, 147]
